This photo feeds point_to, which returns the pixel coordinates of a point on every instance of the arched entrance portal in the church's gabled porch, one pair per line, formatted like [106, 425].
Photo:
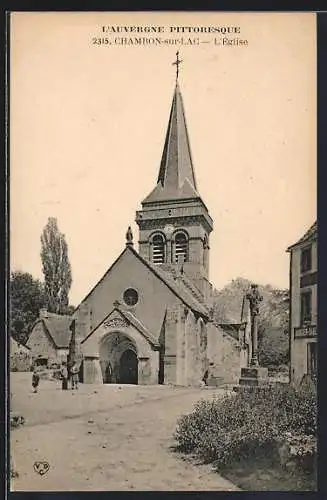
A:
[118, 359]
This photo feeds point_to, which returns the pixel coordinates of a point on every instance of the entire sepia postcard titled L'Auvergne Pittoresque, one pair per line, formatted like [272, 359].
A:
[163, 251]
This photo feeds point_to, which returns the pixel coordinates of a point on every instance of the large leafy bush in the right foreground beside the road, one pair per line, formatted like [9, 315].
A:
[248, 423]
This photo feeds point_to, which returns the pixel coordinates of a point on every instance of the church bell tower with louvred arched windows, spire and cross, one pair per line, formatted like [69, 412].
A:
[174, 223]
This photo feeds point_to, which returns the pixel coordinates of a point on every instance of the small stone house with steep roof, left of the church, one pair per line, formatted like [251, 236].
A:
[49, 338]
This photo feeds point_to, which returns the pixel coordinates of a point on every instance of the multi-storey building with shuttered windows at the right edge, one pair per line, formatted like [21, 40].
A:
[303, 305]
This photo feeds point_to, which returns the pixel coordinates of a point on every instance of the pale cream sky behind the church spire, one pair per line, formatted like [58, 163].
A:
[88, 122]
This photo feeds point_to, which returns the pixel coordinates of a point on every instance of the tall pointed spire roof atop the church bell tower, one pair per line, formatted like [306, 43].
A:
[176, 177]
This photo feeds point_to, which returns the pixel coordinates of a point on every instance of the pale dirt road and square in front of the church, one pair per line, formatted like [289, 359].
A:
[109, 438]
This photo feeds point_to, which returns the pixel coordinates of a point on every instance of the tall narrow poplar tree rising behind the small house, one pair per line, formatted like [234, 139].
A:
[56, 267]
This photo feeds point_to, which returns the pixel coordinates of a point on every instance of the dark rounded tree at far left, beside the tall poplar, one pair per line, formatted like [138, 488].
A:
[27, 297]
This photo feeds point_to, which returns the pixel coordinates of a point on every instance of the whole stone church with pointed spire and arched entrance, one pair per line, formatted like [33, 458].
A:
[149, 319]
